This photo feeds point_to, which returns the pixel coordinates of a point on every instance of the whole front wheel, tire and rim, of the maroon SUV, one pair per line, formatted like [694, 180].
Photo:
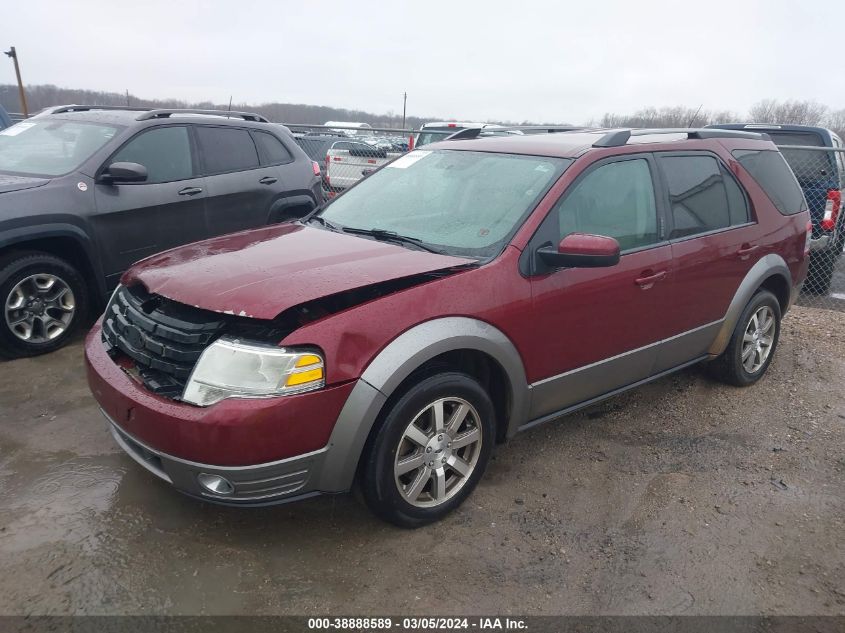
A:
[430, 451]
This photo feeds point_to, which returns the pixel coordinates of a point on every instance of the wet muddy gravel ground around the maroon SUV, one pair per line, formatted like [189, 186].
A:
[681, 497]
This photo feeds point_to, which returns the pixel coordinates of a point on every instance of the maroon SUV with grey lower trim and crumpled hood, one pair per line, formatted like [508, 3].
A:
[458, 295]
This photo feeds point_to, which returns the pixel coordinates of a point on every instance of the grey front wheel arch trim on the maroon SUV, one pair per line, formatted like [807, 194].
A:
[395, 363]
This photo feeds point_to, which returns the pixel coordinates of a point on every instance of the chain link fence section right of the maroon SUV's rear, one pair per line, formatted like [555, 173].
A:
[821, 173]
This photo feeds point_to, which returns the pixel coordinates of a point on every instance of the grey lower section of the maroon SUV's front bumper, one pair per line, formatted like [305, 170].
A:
[261, 484]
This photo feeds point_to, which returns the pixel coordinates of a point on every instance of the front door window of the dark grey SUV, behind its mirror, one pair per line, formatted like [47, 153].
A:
[164, 151]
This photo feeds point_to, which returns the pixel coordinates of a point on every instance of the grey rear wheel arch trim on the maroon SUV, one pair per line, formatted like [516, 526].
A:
[771, 273]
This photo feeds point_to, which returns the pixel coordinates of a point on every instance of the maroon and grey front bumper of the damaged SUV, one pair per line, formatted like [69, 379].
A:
[270, 450]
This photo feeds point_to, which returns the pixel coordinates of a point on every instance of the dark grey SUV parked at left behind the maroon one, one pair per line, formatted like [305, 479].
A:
[85, 191]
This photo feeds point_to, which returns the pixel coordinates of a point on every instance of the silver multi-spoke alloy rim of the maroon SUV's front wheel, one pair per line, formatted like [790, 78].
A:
[438, 452]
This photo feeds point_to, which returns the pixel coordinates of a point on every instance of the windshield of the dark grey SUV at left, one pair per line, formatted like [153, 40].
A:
[50, 147]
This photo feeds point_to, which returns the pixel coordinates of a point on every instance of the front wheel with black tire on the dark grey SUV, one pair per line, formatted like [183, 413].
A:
[44, 303]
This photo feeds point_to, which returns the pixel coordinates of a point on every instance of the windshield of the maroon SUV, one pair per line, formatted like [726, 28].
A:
[457, 202]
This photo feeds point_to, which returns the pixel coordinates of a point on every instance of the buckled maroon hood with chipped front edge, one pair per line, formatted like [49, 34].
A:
[262, 273]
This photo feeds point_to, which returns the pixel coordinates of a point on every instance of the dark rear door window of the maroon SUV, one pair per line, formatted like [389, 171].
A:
[703, 196]
